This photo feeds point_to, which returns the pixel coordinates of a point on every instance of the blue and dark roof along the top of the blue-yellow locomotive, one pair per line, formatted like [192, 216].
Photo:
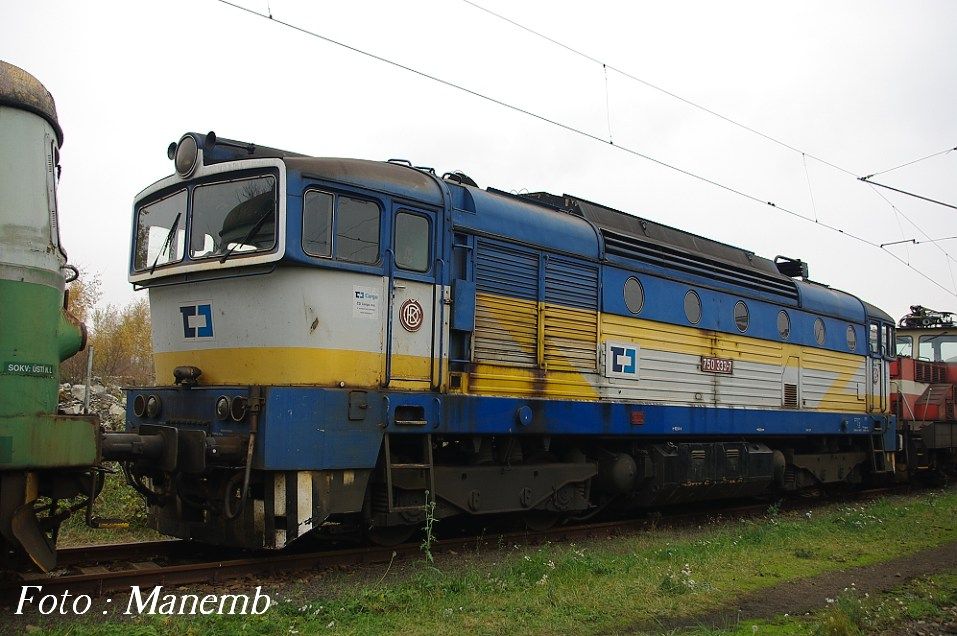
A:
[567, 223]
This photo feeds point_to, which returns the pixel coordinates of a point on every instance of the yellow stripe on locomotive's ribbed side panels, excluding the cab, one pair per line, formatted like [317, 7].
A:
[524, 365]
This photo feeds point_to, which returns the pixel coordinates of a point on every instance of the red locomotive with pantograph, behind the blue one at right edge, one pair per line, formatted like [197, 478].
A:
[924, 391]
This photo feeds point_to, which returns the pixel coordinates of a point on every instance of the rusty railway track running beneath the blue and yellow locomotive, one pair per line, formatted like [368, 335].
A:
[103, 569]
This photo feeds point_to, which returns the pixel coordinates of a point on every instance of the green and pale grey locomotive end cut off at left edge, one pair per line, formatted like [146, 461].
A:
[45, 457]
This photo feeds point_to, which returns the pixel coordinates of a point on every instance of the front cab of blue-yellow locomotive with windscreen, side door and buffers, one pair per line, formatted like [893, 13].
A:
[269, 271]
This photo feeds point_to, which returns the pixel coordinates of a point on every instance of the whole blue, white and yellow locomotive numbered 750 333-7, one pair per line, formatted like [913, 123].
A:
[347, 340]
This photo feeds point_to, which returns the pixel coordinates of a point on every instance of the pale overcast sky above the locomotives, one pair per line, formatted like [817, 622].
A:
[863, 85]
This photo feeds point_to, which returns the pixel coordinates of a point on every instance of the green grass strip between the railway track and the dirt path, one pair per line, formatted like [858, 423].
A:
[610, 585]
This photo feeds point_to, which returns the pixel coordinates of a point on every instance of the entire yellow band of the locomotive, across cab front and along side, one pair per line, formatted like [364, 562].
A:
[558, 362]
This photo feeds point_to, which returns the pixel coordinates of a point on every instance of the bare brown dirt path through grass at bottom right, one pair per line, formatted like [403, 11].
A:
[807, 595]
